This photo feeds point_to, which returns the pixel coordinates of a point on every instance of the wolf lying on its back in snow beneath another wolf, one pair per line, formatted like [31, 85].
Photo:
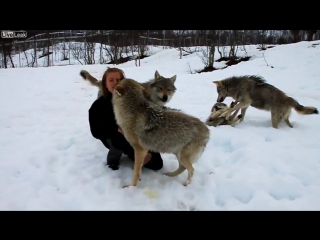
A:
[215, 118]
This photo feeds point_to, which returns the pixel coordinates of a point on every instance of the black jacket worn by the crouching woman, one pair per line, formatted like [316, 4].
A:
[103, 125]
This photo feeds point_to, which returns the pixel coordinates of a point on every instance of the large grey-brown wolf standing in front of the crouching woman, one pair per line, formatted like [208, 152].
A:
[148, 126]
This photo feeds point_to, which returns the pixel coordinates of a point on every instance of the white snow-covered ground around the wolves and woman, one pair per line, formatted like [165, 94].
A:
[50, 161]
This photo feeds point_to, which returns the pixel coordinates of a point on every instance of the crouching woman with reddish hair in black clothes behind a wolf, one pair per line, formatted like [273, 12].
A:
[103, 125]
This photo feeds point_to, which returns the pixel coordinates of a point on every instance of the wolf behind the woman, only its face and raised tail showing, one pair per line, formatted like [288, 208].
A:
[160, 89]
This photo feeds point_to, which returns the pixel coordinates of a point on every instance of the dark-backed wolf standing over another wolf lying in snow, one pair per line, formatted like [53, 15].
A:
[254, 91]
